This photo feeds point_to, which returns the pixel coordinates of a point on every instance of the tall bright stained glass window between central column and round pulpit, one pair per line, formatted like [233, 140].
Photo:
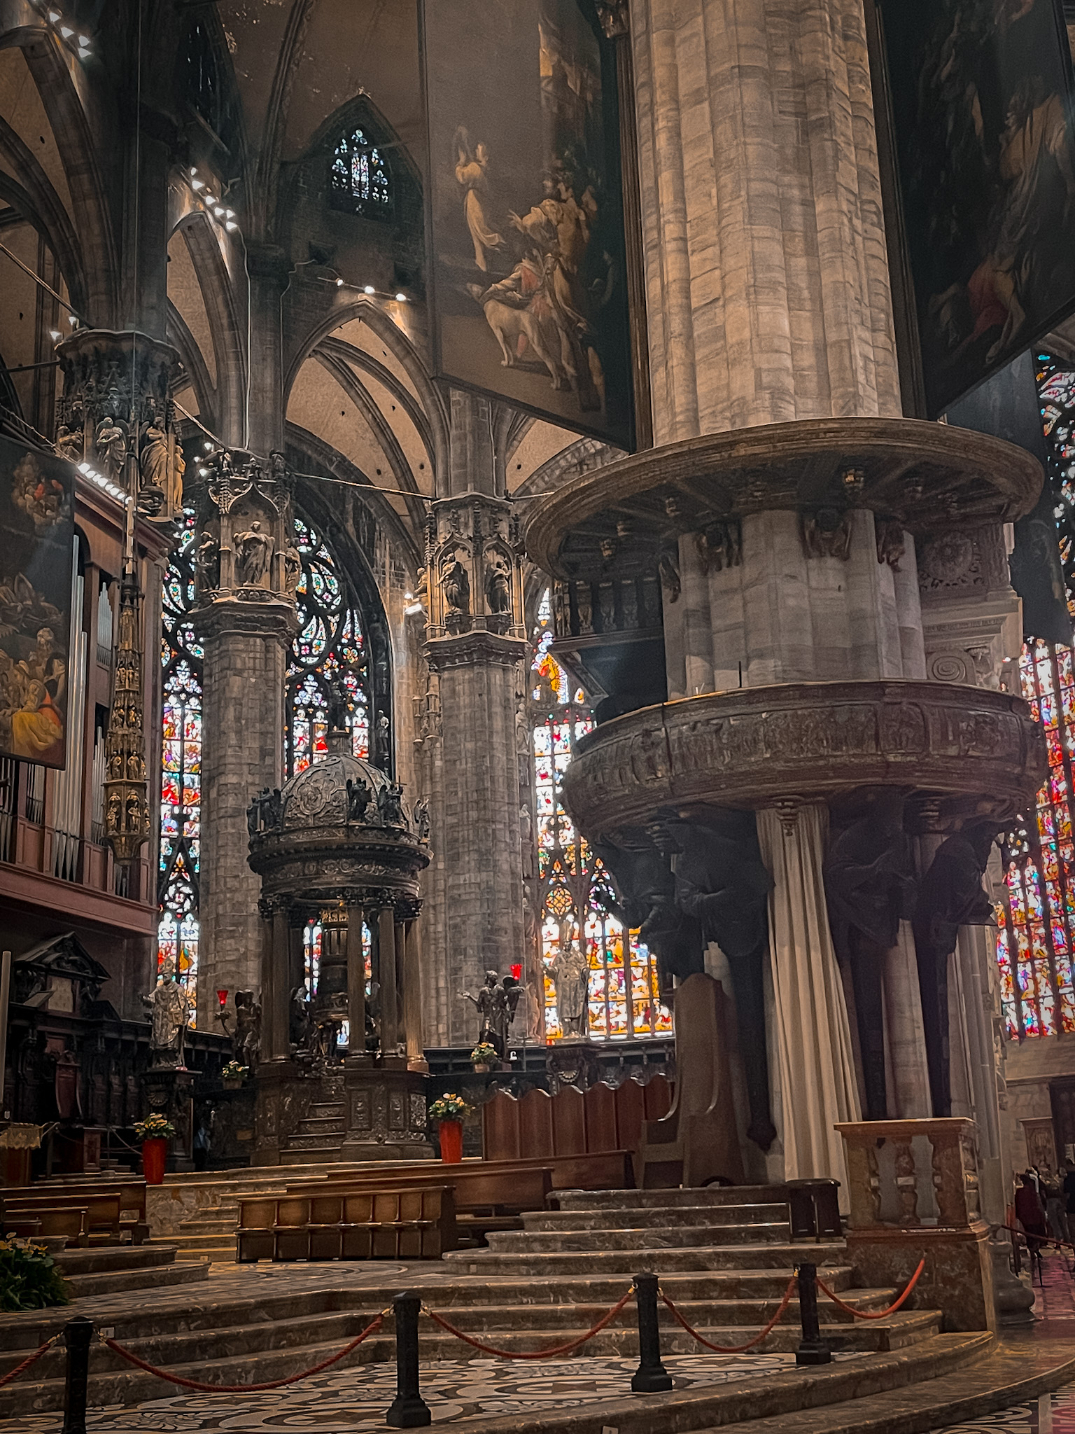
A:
[574, 893]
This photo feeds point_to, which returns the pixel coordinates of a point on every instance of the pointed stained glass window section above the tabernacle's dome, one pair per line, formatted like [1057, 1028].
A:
[328, 659]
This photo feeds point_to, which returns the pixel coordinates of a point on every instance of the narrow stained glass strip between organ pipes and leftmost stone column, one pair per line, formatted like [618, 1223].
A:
[181, 764]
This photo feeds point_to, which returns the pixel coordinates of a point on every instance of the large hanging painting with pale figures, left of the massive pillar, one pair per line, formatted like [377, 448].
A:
[525, 206]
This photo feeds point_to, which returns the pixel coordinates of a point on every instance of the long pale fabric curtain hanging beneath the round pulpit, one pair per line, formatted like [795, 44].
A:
[812, 1032]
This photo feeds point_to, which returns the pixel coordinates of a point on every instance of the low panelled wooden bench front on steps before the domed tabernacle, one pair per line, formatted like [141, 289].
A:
[416, 1224]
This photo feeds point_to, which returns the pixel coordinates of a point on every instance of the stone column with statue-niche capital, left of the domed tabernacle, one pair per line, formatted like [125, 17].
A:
[246, 620]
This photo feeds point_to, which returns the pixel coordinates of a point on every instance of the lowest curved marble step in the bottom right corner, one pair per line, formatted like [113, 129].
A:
[1004, 1379]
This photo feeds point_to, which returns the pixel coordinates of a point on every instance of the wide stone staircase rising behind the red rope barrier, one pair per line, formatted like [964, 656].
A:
[723, 1255]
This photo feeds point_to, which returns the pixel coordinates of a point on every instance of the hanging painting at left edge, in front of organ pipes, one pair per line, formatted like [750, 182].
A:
[37, 574]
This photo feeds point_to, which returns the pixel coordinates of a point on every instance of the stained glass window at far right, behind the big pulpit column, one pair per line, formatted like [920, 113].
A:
[1037, 913]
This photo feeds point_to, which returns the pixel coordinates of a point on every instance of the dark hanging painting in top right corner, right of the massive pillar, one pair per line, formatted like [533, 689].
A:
[983, 130]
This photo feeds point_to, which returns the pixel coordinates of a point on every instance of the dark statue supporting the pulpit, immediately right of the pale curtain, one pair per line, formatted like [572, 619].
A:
[869, 890]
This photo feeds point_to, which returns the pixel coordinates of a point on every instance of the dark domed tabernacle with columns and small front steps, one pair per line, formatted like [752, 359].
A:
[342, 1072]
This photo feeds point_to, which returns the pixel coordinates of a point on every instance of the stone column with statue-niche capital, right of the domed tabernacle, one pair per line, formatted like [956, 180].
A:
[475, 647]
